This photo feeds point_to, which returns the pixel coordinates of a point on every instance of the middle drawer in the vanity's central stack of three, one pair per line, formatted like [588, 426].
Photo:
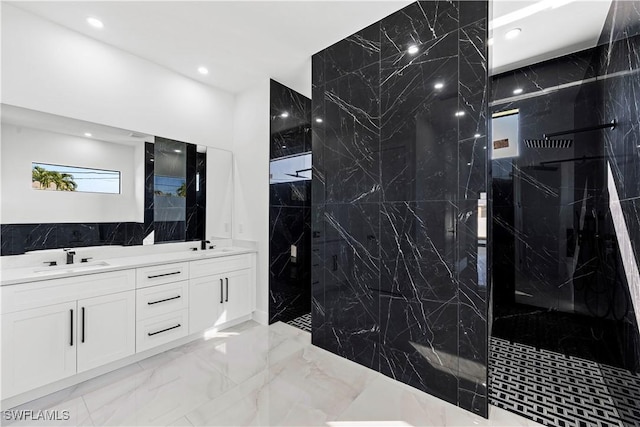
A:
[162, 299]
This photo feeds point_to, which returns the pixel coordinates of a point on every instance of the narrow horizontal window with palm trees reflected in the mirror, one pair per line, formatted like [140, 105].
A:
[50, 177]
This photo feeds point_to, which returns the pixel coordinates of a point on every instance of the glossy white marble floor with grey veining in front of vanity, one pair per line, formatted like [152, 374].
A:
[255, 375]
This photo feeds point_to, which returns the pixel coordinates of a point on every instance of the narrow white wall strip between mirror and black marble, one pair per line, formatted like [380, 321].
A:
[251, 182]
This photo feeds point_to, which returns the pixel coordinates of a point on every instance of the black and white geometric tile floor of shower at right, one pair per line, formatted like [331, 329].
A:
[558, 390]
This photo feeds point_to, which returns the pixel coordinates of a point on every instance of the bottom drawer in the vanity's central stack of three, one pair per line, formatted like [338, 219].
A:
[162, 329]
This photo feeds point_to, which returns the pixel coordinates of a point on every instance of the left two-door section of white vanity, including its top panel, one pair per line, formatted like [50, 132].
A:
[56, 328]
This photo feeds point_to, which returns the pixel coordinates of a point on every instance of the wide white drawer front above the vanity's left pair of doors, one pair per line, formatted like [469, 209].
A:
[55, 291]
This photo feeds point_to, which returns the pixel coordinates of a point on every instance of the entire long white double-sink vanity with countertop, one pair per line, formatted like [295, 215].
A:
[64, 324]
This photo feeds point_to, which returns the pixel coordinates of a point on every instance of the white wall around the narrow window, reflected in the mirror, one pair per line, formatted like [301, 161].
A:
[21, 204]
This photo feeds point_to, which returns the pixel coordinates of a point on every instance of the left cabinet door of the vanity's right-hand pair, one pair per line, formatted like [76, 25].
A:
[206, 299]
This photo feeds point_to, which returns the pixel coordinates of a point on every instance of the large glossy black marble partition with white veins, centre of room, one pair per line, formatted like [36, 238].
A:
[398, 270]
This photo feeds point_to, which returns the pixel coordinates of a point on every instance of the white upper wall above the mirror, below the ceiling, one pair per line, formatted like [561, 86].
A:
[49, 68]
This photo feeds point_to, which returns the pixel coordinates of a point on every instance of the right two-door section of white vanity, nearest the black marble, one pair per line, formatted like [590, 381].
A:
[220, 291]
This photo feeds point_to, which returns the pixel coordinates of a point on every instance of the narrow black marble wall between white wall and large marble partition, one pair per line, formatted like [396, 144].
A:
[289, 208]
